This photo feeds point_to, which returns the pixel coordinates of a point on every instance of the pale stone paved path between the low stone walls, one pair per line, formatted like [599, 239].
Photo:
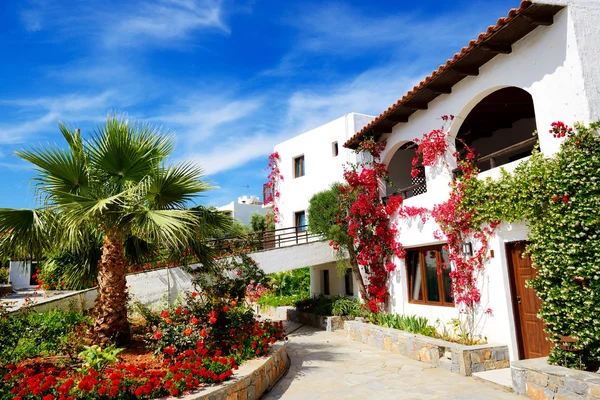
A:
[326, 365]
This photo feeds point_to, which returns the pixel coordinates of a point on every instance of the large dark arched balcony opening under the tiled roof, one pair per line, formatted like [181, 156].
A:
[499, 128]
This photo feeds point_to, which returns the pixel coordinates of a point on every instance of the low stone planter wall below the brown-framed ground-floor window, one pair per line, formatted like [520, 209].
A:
[457, 358]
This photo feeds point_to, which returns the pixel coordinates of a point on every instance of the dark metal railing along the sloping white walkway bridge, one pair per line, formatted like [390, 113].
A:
[270, 239]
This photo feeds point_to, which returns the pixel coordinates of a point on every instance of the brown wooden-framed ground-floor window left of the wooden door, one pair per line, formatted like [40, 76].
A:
[428, 272]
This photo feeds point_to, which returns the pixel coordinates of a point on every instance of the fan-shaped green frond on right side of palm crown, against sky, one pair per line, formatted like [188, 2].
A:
[175, 186]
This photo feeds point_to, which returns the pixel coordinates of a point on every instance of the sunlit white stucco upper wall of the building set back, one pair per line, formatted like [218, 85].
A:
[321, 168]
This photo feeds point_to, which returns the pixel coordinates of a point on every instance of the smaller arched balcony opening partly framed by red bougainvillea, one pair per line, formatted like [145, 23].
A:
[399, 168]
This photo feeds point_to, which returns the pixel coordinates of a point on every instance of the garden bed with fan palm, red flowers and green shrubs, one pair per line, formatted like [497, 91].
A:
[108, 203]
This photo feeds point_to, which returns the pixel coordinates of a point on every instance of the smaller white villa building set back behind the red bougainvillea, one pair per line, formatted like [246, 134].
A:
[310, 163]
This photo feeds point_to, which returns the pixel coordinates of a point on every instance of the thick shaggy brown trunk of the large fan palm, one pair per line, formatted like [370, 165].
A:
[111, 325]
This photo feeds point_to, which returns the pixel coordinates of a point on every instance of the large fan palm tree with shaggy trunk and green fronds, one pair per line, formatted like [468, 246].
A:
[115, 187]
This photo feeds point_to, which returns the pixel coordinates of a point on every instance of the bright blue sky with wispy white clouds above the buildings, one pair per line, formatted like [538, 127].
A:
[230, 78]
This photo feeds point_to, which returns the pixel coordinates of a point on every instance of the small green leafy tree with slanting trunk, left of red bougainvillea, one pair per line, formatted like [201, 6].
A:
[324, 211]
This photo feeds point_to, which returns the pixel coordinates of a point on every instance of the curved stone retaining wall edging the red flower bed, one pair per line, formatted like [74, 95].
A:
[253, 379]
